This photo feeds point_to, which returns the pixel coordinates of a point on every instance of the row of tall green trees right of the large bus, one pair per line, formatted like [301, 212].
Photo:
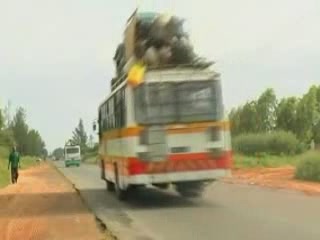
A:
[298, 115]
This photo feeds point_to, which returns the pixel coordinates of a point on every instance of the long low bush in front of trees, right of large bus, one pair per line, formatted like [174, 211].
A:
[275, 143]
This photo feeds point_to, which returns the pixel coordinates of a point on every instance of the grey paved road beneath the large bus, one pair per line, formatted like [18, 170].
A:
[229, 212]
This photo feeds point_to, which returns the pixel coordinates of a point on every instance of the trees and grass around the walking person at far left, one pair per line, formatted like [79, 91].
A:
[16, 132]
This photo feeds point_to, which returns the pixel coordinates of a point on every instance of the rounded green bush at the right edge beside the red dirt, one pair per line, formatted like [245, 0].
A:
[309, 167]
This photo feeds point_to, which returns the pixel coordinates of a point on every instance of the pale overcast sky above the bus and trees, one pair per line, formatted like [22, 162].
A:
[56, 55]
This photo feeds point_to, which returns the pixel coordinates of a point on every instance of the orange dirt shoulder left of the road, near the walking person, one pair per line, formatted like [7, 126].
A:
[44, 206]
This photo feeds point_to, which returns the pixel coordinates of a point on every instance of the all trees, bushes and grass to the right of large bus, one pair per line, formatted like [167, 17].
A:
[268, 132]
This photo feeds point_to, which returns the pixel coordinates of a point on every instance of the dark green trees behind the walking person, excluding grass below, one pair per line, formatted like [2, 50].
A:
[16, 132]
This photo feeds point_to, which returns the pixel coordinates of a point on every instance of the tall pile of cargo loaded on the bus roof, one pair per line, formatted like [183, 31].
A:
[157, 40]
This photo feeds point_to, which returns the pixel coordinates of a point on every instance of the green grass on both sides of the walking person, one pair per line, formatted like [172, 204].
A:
[26, 162]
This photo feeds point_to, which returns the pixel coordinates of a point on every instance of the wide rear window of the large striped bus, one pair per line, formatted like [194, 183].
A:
[178, 102]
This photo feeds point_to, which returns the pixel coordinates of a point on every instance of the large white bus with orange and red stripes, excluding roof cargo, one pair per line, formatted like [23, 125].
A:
[170, 130]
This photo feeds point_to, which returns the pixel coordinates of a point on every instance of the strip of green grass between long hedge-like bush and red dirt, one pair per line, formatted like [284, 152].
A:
[265, 160]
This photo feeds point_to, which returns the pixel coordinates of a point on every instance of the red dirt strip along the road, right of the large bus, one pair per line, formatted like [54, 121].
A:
[275, 178]
